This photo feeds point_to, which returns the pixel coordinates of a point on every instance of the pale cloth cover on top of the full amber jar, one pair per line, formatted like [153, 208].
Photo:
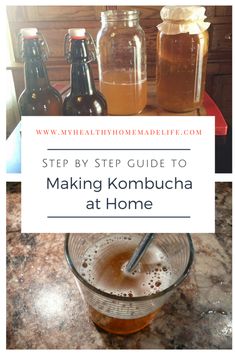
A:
[183, 19]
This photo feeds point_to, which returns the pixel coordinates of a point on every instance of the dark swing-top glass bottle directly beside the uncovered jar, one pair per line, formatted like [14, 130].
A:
[84, 98]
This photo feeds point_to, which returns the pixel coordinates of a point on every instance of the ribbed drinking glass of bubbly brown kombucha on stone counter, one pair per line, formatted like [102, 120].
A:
[121, 302]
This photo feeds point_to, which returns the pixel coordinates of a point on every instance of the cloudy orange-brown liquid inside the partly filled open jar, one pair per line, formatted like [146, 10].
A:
[124, 94]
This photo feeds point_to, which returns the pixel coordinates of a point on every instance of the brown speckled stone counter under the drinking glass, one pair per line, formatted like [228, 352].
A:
[45, 309]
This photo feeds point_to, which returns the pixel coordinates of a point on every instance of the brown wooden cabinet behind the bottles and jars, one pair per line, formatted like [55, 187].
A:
[53, 22]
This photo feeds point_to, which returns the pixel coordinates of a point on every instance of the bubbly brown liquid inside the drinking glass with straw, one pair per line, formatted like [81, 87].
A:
[103, 266]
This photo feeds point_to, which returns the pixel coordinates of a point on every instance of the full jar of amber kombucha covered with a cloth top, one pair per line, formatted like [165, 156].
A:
[182, 49]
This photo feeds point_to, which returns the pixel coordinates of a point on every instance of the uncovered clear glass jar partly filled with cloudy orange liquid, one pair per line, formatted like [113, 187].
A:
[122, 62]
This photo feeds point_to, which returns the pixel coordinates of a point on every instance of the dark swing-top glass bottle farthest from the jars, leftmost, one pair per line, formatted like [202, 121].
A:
[38, 97]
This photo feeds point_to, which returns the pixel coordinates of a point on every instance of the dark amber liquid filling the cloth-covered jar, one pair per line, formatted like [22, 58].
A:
[181, 71]
